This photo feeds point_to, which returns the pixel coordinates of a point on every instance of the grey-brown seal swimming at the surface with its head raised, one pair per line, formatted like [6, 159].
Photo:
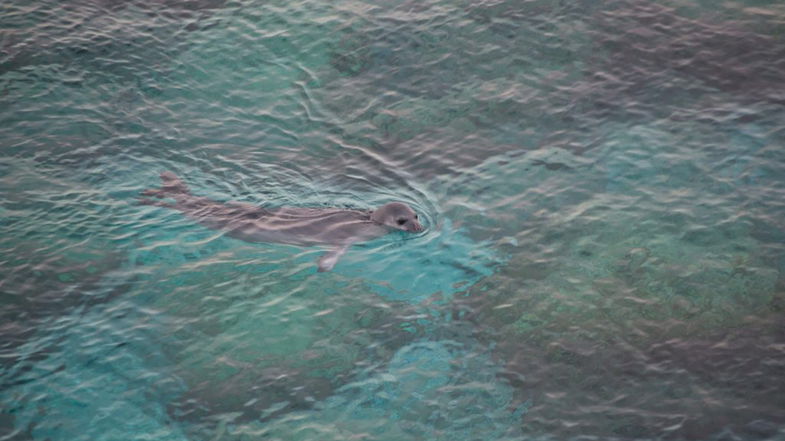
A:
[334, 227]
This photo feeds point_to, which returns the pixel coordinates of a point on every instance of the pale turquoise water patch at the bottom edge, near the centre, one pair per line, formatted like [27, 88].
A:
[428, 389]
